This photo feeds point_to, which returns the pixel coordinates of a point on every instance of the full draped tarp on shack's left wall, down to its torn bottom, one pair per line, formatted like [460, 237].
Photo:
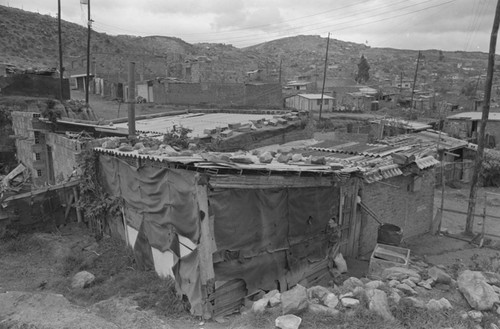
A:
[160, 203]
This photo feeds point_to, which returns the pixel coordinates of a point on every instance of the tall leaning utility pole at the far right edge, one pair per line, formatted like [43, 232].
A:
[469, 224]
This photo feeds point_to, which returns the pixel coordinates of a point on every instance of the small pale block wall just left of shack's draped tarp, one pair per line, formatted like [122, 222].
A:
[65, 153]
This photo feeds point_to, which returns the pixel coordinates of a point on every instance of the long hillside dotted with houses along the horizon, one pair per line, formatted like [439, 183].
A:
[30, 40]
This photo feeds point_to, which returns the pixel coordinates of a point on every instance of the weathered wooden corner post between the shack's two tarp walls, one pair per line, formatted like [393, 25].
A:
[205, 250]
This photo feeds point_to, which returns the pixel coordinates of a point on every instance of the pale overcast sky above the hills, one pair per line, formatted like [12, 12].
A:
[409, 24]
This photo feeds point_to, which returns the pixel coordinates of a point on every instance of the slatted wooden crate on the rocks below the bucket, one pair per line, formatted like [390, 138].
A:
[385, 256]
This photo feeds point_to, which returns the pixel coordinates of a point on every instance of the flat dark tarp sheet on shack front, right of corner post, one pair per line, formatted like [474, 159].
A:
[267, 237]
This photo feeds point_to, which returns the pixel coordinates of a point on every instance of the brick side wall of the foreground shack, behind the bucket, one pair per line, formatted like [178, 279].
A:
[412, 211]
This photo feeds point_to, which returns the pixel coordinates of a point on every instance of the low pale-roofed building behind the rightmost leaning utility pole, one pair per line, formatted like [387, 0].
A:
[465, 126]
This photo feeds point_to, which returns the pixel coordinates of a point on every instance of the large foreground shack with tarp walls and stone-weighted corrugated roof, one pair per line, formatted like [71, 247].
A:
[226, 225]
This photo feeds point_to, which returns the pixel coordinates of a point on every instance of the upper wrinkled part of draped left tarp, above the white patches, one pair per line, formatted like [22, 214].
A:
[156, 197]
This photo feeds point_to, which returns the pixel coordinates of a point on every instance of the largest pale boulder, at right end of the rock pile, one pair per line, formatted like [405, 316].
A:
[479, 294]
